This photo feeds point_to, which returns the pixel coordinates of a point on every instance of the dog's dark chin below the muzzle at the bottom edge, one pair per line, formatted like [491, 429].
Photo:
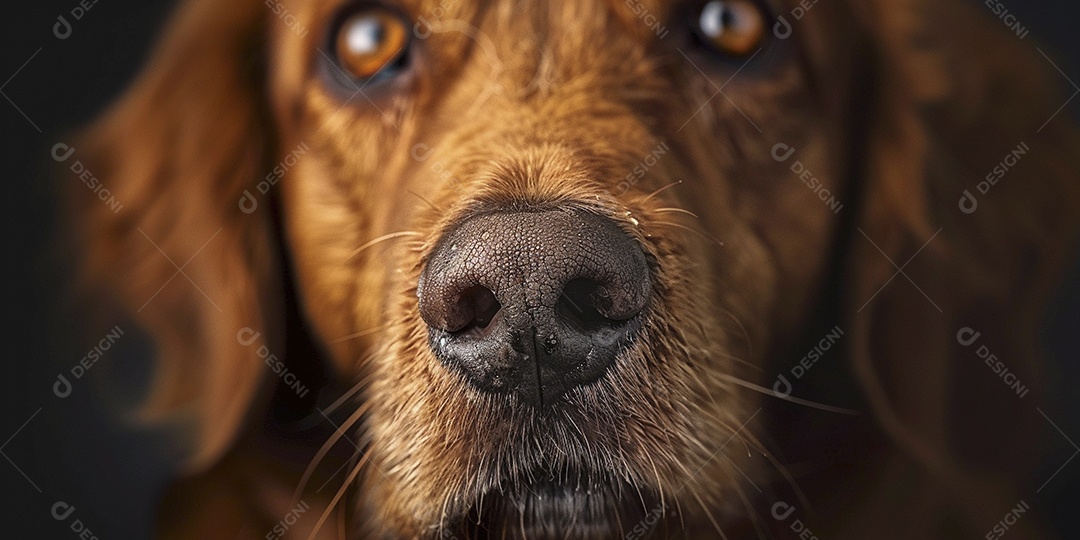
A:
[547, 507]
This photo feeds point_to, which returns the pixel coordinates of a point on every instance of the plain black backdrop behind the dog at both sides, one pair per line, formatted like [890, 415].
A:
[63, 450]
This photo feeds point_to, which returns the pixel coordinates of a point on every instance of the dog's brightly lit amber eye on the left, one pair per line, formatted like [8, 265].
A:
[370, 43]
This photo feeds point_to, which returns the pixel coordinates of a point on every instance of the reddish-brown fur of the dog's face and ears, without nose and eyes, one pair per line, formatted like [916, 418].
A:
[551, 104]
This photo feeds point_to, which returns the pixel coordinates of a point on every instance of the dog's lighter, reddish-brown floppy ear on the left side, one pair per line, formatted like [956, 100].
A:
[185, 253]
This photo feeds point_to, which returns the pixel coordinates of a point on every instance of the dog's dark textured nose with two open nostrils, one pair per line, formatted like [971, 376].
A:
[536, 303]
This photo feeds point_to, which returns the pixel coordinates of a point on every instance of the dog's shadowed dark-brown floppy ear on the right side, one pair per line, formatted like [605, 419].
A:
[971, 190]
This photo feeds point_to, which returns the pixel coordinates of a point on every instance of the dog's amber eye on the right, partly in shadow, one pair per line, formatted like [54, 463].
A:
[732, 28]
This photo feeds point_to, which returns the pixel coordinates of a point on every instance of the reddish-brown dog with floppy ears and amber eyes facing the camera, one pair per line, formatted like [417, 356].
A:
[590, 269]
